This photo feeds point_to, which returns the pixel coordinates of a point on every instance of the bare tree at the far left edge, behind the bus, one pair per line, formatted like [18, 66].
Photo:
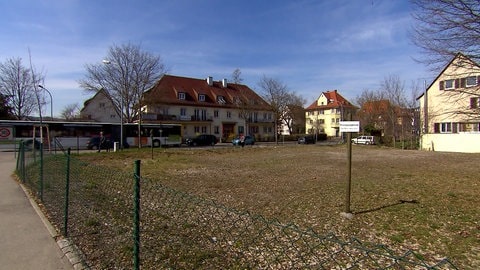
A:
[18, 84]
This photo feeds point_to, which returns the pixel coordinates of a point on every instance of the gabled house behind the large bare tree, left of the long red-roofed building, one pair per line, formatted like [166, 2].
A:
[100, 108]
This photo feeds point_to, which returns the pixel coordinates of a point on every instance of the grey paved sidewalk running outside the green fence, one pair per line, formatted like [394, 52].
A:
[25, 241]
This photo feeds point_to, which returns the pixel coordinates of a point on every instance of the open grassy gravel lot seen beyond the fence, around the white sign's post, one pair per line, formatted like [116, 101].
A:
[425, 201]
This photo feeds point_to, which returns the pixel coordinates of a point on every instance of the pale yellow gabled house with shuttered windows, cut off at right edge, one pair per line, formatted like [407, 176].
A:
[449, 108]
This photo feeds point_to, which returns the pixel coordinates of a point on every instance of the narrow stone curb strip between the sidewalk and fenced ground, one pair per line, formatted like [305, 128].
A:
[69, 250]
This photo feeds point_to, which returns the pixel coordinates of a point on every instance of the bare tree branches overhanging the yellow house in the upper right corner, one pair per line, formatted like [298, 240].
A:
[445, 27]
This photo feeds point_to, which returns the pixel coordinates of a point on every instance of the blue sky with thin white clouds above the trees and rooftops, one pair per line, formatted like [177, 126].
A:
[310, 45]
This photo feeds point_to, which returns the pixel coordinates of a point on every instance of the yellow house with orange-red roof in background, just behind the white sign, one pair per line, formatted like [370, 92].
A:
[324, 114]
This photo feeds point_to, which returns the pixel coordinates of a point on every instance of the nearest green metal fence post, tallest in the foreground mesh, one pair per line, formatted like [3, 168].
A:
[136, 217]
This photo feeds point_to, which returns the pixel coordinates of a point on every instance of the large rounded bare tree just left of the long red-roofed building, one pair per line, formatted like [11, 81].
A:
[124, 74]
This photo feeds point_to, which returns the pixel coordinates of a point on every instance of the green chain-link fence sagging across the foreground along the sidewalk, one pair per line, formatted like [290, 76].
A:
[162, 228]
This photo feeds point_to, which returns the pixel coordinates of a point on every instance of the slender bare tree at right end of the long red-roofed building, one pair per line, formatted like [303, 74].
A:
[276, 94]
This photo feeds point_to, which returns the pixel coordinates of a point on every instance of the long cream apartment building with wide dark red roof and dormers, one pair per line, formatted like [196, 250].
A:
[205, 106]
